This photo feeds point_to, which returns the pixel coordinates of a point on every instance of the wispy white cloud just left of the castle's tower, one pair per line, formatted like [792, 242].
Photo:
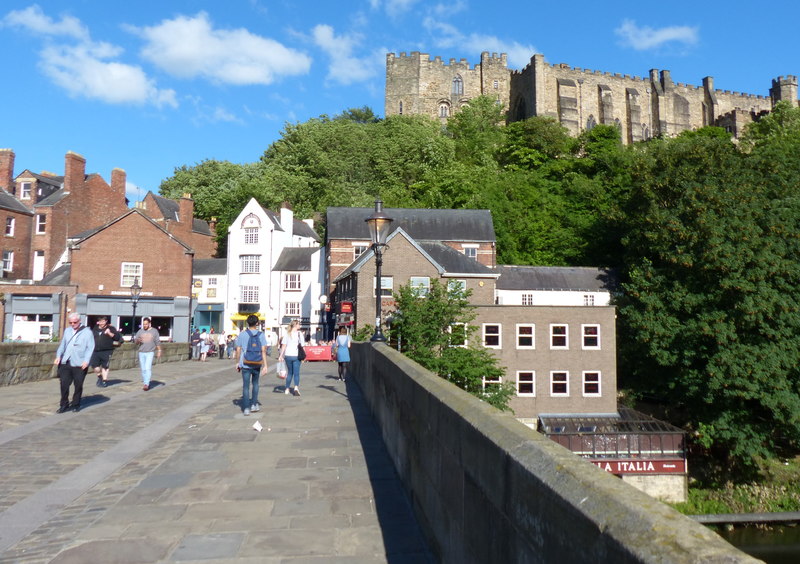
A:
[344, 68]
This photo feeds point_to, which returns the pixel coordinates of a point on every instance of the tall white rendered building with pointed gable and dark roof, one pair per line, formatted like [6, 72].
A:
[275, 270]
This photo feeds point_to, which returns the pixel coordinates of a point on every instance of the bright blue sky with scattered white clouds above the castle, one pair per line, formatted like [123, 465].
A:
[152, 85]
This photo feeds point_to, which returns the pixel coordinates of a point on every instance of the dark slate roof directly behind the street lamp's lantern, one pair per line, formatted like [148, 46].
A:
[421, 224]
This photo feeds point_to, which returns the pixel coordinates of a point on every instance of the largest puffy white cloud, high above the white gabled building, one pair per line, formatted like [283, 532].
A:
[189, 47]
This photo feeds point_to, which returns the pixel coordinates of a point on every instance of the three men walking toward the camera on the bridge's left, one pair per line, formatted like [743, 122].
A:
[81, 348]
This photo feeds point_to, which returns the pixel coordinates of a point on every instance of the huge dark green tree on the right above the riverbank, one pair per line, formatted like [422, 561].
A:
[710, 316]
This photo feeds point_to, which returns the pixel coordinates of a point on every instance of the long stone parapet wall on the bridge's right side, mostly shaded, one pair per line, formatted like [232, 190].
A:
[487, 488]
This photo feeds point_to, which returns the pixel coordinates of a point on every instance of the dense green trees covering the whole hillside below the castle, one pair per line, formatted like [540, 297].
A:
[703, 231]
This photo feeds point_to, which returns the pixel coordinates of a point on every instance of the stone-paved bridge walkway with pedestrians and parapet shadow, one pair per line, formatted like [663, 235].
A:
[179, 474]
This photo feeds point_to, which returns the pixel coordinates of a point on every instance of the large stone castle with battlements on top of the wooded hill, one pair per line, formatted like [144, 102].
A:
[578, 98]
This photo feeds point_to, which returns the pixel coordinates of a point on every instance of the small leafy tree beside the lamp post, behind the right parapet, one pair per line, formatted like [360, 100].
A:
[431, 328]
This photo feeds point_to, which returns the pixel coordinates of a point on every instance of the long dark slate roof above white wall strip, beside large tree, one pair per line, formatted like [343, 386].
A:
[575, 278]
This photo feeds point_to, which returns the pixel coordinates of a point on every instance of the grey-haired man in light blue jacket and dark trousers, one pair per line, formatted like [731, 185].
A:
[72, 358]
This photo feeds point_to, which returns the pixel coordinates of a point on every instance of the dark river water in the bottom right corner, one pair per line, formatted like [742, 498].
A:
[778, 545]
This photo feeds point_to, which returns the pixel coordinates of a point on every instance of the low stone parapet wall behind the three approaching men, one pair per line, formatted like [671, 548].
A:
[31, 362]
